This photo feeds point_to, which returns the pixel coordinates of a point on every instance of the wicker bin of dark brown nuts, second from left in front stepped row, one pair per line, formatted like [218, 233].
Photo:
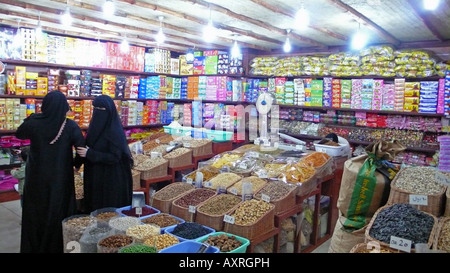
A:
[181, 205]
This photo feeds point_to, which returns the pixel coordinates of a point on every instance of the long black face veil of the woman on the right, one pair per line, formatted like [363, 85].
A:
[106, 123]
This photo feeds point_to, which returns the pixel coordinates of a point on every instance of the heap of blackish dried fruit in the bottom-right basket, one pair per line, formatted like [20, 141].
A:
[404, 221]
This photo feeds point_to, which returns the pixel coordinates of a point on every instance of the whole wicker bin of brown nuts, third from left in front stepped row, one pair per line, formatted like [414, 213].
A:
[216, 220]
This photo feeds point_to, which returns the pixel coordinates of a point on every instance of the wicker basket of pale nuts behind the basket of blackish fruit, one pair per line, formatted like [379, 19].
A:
[435, 201]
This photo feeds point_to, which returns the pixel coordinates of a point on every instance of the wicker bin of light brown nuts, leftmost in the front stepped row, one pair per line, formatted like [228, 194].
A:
[162, 199]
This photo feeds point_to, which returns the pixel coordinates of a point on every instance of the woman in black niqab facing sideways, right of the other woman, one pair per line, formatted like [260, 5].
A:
[108, 181]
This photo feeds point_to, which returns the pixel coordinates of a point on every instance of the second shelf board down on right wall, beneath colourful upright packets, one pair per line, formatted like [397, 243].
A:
[317, 108]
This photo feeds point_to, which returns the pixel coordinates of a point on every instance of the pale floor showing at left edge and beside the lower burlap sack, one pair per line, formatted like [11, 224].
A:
[10, 218]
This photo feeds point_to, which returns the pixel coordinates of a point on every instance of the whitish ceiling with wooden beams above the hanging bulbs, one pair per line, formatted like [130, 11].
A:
[261, 25]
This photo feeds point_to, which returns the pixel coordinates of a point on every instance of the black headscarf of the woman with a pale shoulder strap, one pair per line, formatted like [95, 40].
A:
[54, 109]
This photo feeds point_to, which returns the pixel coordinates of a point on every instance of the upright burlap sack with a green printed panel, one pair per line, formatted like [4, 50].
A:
[365, 184]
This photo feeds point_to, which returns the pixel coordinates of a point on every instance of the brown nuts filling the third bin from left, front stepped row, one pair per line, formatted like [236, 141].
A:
[219, 204]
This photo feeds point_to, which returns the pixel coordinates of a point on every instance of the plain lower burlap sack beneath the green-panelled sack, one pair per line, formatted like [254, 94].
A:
[343, 241]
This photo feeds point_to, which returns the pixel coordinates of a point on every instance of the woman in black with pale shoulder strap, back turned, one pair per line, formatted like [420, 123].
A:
[49, 192]
